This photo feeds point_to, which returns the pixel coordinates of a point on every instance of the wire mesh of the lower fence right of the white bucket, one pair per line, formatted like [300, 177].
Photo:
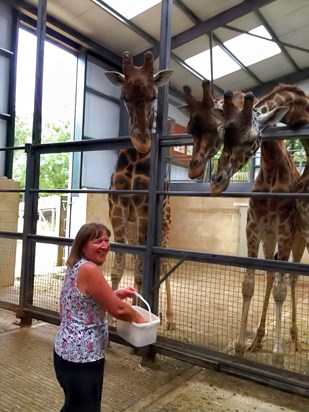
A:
[207, 303]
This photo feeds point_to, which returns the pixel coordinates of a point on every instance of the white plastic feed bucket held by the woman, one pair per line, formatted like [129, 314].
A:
[139, 334]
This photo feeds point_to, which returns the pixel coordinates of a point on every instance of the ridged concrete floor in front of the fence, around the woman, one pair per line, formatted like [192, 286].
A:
[28, 383]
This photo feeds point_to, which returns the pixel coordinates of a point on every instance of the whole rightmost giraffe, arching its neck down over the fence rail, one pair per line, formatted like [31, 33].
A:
[270, 221]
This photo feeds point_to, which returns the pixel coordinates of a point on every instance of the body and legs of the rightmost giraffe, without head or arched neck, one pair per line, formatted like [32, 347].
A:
[272, 222]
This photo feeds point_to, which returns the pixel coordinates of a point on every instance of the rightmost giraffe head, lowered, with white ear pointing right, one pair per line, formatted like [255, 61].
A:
[242, 130]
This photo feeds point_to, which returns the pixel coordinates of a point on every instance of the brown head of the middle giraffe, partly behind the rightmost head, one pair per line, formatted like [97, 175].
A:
[203, 126]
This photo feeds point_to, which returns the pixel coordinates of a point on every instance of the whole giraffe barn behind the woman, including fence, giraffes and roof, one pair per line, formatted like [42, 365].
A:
[56, 165]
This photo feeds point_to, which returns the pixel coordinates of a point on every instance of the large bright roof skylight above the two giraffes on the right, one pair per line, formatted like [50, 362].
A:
[246, 48]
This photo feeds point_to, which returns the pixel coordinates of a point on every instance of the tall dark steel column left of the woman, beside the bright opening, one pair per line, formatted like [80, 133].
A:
[33, 175]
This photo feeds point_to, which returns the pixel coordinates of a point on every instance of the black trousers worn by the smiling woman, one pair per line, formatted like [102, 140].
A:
[81, 383]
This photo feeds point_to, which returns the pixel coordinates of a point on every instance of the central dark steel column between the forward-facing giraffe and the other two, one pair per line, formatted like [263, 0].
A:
[158, 169]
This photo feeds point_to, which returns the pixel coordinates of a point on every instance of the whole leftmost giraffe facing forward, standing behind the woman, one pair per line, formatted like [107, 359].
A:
[129, 213]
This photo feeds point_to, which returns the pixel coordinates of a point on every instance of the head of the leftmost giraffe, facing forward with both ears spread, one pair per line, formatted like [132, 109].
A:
[139, 90]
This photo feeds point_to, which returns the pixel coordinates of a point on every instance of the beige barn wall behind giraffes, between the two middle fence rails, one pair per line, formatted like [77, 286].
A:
[212, 225]
